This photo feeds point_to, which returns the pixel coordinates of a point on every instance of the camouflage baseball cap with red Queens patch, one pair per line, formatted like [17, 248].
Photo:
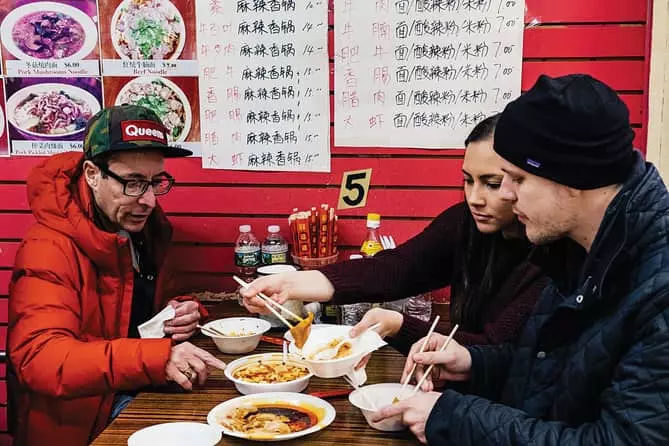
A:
[128, 127]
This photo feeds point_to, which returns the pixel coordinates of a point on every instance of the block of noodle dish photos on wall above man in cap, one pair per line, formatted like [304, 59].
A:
[61, 69]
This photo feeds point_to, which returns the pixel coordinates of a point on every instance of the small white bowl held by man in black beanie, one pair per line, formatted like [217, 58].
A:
[381, 395]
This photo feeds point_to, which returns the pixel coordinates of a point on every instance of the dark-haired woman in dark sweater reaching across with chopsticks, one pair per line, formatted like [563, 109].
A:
[477, 247]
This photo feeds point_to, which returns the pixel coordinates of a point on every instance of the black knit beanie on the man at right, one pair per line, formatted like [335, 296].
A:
[573, 130]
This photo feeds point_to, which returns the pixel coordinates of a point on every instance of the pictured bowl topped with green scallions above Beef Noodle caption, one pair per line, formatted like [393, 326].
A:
[148, 29]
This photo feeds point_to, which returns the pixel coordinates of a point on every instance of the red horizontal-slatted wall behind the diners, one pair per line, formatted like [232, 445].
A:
[605, 38]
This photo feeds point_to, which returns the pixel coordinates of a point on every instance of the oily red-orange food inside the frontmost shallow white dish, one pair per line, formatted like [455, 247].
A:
[269, 419]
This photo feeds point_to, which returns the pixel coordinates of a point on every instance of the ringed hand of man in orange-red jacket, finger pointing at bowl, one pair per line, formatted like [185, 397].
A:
[189, 364]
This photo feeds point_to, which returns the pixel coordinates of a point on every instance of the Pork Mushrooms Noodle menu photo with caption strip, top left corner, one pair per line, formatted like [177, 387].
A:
[49, 38]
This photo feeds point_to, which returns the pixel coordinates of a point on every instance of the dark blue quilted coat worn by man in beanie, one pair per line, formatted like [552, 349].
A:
[592, 365]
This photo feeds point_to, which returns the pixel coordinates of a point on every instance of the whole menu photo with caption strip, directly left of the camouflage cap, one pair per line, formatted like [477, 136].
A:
[49, 115]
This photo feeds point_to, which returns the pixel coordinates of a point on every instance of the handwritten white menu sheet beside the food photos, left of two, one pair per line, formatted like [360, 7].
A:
[264, 84]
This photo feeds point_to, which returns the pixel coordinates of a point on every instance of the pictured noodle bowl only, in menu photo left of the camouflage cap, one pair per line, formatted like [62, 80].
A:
[51, 110]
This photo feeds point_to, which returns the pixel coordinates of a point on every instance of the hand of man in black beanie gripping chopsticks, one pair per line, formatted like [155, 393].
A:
[453, 364]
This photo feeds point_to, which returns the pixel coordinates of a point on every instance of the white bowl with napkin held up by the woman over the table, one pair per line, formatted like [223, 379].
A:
[335, 368]
